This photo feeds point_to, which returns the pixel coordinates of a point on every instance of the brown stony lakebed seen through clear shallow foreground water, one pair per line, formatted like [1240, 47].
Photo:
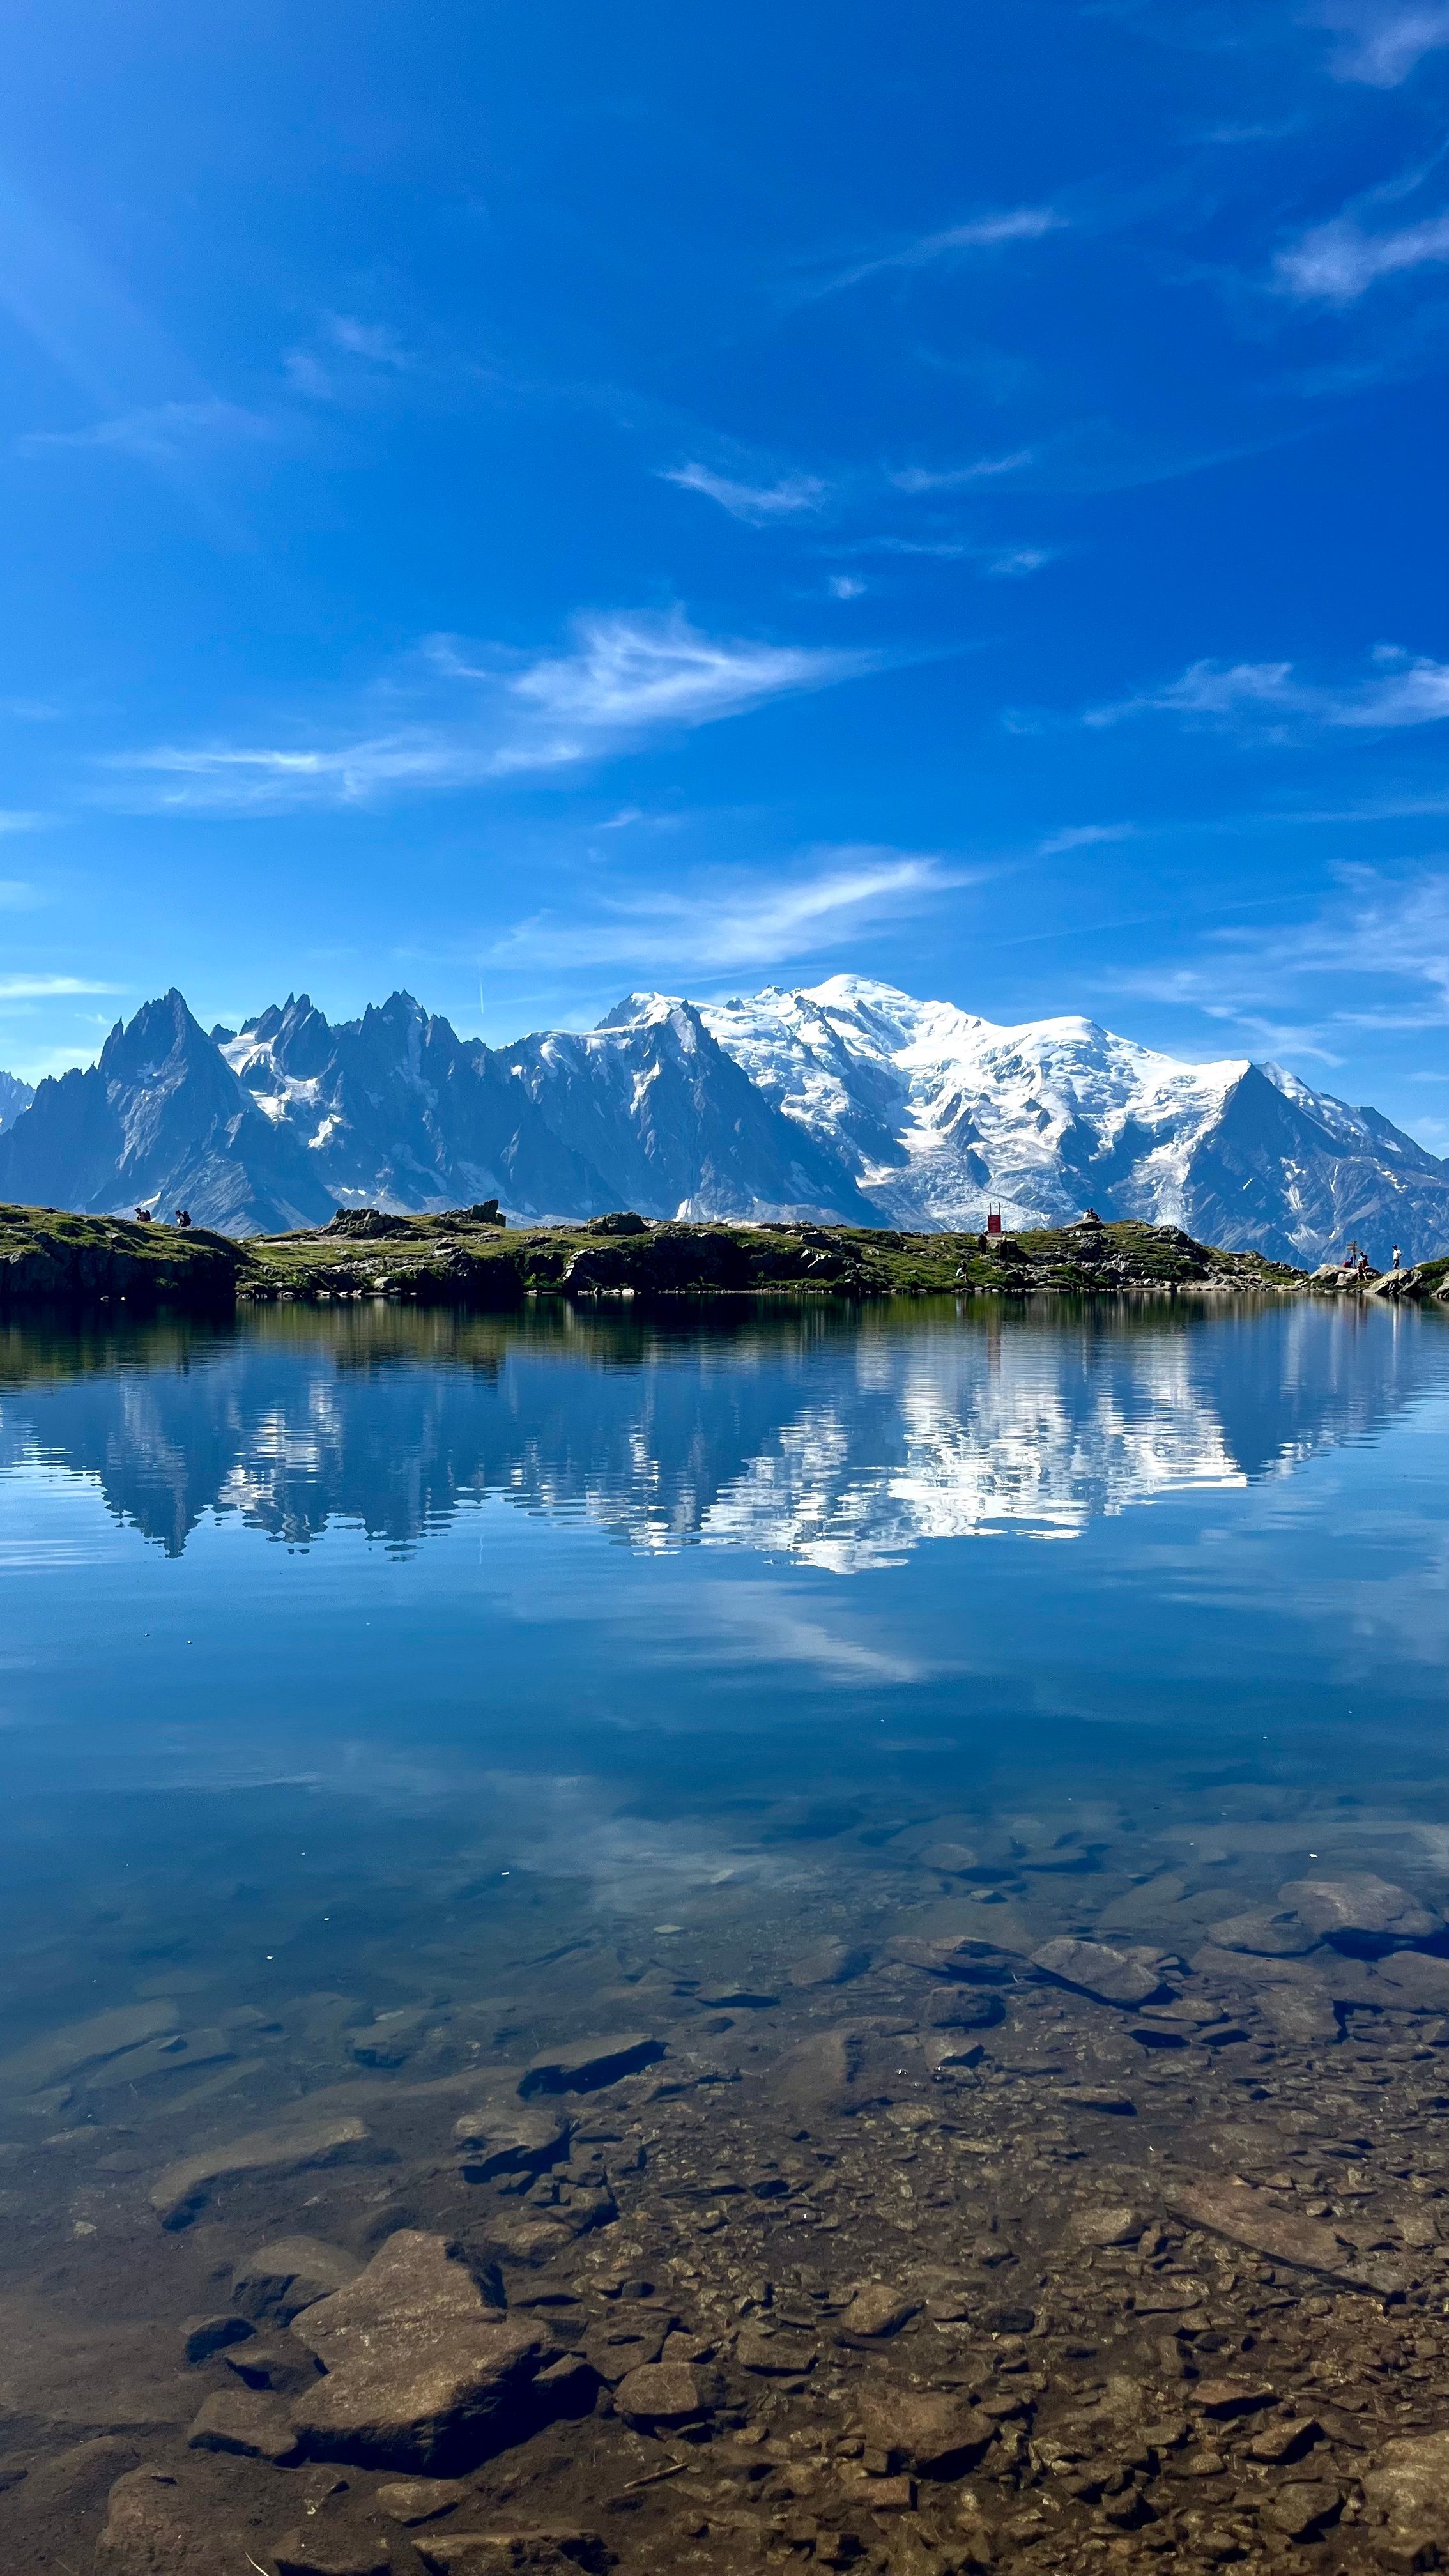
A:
[940, 2245]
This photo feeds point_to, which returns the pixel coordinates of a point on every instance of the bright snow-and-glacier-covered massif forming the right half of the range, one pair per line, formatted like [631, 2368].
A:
[940, 1114]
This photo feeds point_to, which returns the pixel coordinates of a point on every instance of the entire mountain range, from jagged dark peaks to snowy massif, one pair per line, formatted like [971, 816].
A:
[847, 1101]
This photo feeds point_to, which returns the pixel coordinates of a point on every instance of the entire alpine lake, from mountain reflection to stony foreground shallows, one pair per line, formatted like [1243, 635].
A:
[741, 1933]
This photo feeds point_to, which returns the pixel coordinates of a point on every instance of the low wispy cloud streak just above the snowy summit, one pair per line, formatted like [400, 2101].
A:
[703, 931]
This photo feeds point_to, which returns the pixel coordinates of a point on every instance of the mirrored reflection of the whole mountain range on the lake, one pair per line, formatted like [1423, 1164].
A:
[829, 1436]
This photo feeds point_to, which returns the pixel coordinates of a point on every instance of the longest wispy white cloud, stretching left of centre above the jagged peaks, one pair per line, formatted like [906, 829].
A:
[625, 681]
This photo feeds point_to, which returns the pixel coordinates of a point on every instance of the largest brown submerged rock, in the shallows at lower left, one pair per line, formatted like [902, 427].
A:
[419, 2374]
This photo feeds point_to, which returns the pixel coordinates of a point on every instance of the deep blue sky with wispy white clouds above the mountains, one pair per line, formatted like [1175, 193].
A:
[527, 501]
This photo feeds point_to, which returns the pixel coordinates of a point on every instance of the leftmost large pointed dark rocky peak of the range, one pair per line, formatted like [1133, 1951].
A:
[161, 1124]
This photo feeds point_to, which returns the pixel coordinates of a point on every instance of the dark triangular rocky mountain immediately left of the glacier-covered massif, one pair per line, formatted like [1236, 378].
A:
[677, 1127]
